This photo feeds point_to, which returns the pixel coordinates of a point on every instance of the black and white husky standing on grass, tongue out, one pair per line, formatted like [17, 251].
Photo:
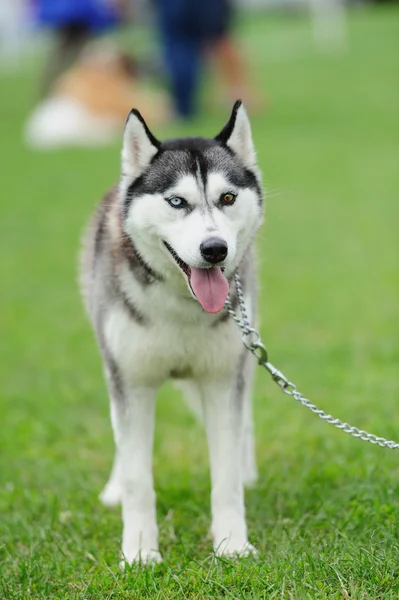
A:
[158, 263]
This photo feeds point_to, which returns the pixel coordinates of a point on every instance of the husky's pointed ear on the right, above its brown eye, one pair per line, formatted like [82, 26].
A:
[237, 136]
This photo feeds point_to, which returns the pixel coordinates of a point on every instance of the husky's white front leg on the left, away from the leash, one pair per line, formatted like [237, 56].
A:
[133, 424]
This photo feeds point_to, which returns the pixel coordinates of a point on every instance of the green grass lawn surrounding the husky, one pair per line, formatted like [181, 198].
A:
[325, 513]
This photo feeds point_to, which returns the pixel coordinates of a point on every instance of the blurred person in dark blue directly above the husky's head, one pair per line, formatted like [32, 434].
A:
[190, 31]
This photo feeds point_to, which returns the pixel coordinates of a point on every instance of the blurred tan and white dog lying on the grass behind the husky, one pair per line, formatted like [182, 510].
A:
[89, 102]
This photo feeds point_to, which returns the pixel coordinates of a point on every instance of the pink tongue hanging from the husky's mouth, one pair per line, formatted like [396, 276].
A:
[210, 287]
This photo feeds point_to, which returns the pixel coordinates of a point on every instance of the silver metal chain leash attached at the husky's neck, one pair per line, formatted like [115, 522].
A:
[253, 342]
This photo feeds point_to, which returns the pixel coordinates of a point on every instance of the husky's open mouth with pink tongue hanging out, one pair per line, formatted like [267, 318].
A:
[208, 285]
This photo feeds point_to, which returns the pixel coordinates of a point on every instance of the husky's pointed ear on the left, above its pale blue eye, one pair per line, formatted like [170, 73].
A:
[139, 145]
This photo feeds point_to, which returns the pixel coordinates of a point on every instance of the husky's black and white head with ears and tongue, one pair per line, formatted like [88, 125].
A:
[192, 206]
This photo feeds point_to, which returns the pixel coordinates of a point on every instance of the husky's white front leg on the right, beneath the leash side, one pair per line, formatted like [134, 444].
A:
[224, 426]
